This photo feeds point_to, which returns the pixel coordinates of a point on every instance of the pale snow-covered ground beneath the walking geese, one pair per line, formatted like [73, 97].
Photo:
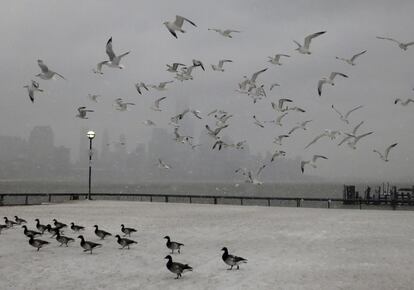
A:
[287, 248]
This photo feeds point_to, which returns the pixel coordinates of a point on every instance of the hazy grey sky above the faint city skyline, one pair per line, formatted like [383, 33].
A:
[70, 37]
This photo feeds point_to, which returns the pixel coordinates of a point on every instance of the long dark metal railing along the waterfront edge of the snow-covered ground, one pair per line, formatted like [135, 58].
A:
[39, 198]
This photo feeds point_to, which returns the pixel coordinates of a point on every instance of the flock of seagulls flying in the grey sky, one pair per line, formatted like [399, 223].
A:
[251, 86]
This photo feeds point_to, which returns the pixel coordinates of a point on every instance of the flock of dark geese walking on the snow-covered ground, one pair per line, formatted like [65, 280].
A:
[88, 246]
